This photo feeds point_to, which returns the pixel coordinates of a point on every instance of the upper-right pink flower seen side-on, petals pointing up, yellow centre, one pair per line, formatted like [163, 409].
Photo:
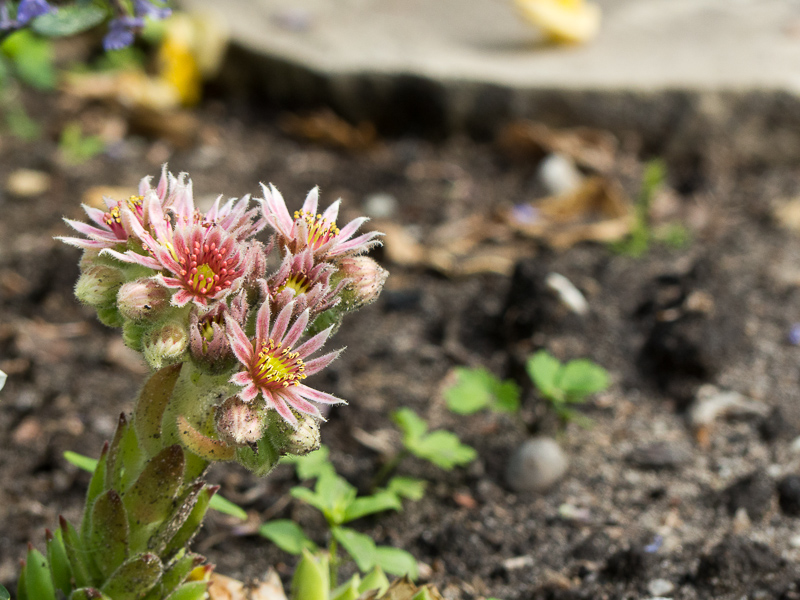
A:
[308, 229]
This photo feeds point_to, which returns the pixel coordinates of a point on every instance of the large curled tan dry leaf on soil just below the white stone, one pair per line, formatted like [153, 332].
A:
[597, 211]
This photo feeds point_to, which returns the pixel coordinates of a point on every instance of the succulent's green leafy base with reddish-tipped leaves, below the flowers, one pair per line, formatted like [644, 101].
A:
[144, 504]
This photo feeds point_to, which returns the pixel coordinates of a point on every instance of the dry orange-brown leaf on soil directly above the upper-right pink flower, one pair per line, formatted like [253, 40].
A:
[327, 128]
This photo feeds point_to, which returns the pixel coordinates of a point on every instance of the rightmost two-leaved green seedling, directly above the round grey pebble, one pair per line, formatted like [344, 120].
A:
[564, 384]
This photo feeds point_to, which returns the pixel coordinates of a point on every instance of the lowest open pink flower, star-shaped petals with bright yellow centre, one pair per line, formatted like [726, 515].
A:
[274, 368]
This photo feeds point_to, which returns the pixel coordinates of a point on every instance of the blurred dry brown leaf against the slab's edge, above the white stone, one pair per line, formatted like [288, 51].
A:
[592, 148]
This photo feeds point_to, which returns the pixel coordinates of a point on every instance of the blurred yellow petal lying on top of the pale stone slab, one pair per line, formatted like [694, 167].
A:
[562, 21]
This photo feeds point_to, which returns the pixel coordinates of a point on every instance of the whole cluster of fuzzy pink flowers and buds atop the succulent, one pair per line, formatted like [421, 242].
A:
[193, 287]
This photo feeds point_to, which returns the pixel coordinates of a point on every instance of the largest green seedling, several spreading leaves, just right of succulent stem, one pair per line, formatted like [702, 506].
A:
[339, 503]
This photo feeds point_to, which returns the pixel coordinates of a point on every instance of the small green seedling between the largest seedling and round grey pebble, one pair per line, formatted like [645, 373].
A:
[441, 447]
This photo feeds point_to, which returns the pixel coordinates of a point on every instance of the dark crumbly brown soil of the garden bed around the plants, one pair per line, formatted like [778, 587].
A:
[654, 502]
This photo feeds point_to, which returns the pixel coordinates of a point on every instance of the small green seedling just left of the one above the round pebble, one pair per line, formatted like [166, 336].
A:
[478, 389]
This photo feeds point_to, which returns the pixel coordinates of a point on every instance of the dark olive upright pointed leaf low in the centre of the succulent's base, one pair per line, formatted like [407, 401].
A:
[109, 533]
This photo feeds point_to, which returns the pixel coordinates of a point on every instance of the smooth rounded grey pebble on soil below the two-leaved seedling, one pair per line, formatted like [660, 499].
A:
[536, 465]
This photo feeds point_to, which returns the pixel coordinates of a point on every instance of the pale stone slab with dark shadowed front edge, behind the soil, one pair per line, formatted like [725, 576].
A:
[439, 65]
